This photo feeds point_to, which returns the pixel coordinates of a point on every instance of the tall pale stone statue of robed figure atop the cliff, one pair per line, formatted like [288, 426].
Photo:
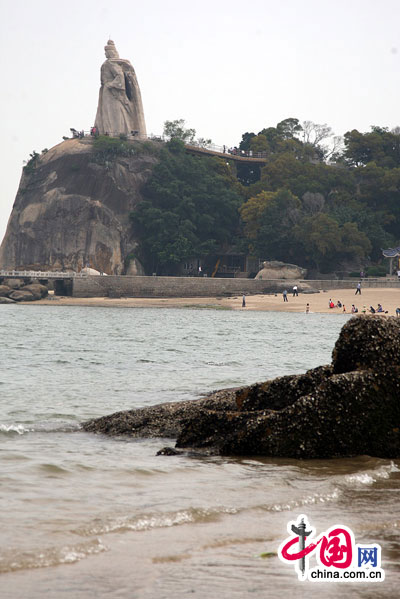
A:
[120, 109]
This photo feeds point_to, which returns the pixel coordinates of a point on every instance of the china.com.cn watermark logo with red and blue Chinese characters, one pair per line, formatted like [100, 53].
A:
[337, 554]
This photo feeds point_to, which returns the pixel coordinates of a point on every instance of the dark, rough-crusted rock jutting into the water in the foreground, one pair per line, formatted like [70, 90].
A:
[351, 407]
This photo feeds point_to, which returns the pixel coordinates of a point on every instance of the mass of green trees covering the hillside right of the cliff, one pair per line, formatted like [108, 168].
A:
[320, 201]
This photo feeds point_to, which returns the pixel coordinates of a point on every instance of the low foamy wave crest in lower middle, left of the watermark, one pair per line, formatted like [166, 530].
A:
[151, 521]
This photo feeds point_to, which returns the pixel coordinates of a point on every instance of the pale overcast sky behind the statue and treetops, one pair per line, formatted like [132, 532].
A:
[225, 66]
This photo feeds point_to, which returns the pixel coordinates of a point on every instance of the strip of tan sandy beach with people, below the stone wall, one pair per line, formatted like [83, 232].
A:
[319, 302]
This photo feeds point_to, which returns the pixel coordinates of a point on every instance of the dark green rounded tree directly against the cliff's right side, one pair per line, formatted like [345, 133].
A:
[190, 209]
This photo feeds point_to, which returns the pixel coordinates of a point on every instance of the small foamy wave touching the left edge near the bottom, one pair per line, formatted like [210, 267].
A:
[11, 561]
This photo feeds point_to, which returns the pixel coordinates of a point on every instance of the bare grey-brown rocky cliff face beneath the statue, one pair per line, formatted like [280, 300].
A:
[72, 209]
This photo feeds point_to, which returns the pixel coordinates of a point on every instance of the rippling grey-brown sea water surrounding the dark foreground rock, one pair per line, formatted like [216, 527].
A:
[84, 516]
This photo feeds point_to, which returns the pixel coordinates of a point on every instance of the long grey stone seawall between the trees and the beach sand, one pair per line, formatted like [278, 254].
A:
[124, 286]
